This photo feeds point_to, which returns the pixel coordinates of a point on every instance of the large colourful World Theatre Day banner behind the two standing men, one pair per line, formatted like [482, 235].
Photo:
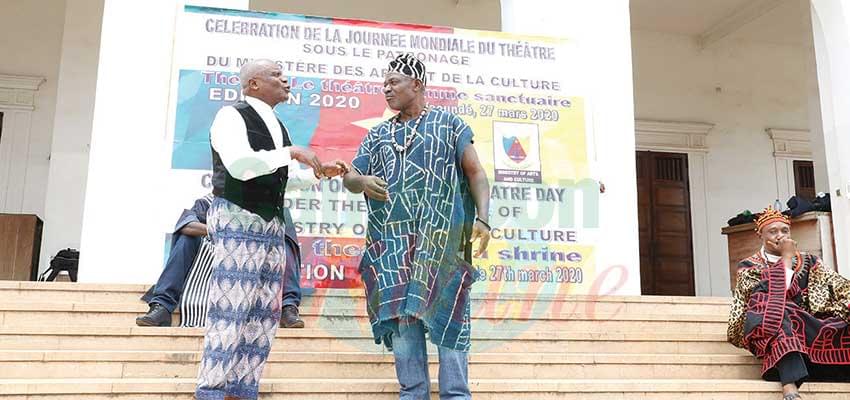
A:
[523, 97]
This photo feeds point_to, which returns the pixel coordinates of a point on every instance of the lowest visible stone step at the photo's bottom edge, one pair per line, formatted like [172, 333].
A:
[387, 389]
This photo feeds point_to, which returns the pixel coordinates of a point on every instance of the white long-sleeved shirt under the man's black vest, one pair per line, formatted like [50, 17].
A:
[228, 138]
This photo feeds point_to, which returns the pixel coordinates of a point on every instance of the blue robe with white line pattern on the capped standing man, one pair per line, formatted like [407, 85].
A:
[416, 262]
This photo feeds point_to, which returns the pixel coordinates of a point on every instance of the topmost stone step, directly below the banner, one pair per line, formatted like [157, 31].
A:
[61, 292]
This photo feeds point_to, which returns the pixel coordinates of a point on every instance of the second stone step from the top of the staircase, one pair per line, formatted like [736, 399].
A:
[122, 314]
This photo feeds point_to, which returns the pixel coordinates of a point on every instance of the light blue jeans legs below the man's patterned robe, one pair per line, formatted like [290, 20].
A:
[411, 366]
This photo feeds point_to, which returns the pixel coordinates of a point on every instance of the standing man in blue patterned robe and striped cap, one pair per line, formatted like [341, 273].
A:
[428, 199]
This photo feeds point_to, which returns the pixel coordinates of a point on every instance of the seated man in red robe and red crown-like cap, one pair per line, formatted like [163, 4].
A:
[791, 311]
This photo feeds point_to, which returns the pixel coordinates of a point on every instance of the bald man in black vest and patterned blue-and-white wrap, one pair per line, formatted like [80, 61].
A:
[252, 159]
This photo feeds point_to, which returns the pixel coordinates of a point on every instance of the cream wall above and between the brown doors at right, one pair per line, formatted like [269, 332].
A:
[742, 87]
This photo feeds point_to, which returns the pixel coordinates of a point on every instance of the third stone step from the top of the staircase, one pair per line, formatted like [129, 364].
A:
[316, 340]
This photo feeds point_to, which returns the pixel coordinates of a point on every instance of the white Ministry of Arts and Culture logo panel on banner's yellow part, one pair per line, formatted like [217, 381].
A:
[518, 157]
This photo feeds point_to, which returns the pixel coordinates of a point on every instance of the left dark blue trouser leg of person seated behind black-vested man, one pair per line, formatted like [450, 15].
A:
[169, 287]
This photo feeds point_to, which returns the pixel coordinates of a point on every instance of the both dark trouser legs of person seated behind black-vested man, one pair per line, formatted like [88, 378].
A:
[169, 287]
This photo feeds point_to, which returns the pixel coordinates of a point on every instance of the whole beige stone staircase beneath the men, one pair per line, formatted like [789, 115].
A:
[79, 341]
